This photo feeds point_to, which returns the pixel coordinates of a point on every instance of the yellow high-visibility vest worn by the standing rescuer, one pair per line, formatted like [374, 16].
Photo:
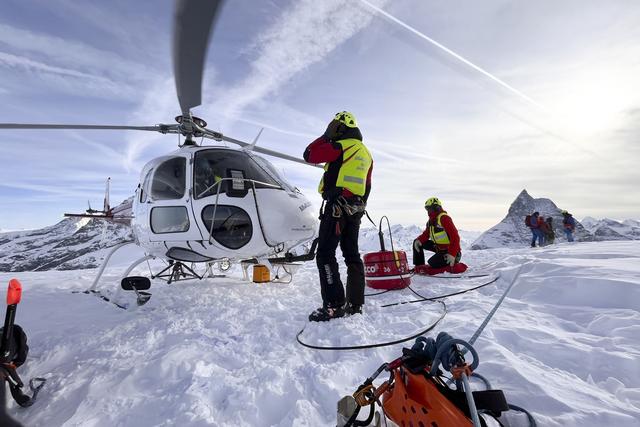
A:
[355, 166]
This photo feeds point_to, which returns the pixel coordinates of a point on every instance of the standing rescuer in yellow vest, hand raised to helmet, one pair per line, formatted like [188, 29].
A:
[345, 188]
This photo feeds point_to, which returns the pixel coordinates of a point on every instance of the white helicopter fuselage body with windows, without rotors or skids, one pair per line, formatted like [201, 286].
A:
[206, 203]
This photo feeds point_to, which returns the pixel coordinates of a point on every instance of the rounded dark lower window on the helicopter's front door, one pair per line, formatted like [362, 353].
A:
[231, 226]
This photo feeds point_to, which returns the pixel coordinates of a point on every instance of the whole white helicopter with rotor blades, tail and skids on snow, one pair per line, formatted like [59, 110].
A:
[204, 204]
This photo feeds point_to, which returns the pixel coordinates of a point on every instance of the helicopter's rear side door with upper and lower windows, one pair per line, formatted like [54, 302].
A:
[169, 206]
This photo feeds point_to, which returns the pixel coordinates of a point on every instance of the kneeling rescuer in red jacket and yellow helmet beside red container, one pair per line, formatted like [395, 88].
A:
[441, 237]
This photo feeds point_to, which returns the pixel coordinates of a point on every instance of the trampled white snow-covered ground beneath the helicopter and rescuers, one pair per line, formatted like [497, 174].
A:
[565, 343]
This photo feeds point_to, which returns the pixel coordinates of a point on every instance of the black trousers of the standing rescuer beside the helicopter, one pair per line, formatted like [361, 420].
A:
[336, 227]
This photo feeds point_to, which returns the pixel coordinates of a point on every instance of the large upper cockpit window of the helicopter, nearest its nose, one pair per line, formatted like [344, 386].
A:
[211, 166]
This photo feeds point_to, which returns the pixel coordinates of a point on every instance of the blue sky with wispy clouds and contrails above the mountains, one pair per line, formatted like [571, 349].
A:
[539, 95]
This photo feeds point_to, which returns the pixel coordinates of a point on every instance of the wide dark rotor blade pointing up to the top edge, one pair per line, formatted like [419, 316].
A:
[193, 22]
